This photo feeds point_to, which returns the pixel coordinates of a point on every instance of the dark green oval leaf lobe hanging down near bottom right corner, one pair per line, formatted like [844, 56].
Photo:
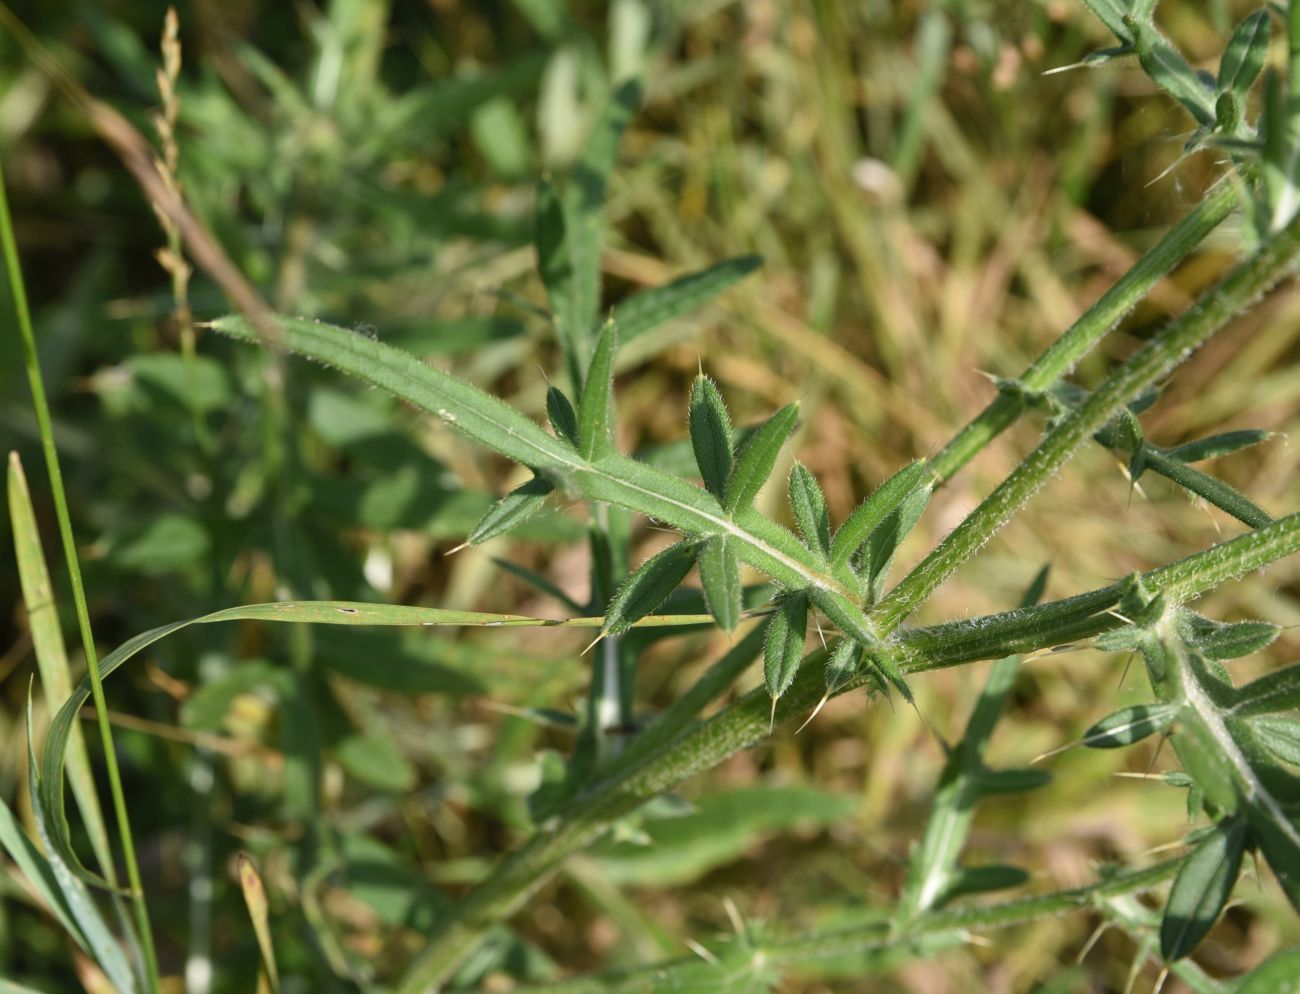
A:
[1202, 889]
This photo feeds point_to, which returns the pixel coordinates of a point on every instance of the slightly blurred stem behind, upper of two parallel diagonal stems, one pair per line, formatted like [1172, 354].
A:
[1091, 328]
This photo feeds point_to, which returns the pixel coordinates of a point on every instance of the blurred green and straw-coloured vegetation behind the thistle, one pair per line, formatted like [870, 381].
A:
[930, 207]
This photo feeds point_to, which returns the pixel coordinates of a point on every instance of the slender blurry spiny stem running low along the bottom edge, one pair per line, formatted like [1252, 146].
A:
[876, 936]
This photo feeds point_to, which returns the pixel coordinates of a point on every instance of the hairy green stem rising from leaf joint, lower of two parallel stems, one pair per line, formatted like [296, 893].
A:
[1172, 346]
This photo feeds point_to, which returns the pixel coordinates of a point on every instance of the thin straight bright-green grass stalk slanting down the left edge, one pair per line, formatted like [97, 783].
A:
[66, 531]
